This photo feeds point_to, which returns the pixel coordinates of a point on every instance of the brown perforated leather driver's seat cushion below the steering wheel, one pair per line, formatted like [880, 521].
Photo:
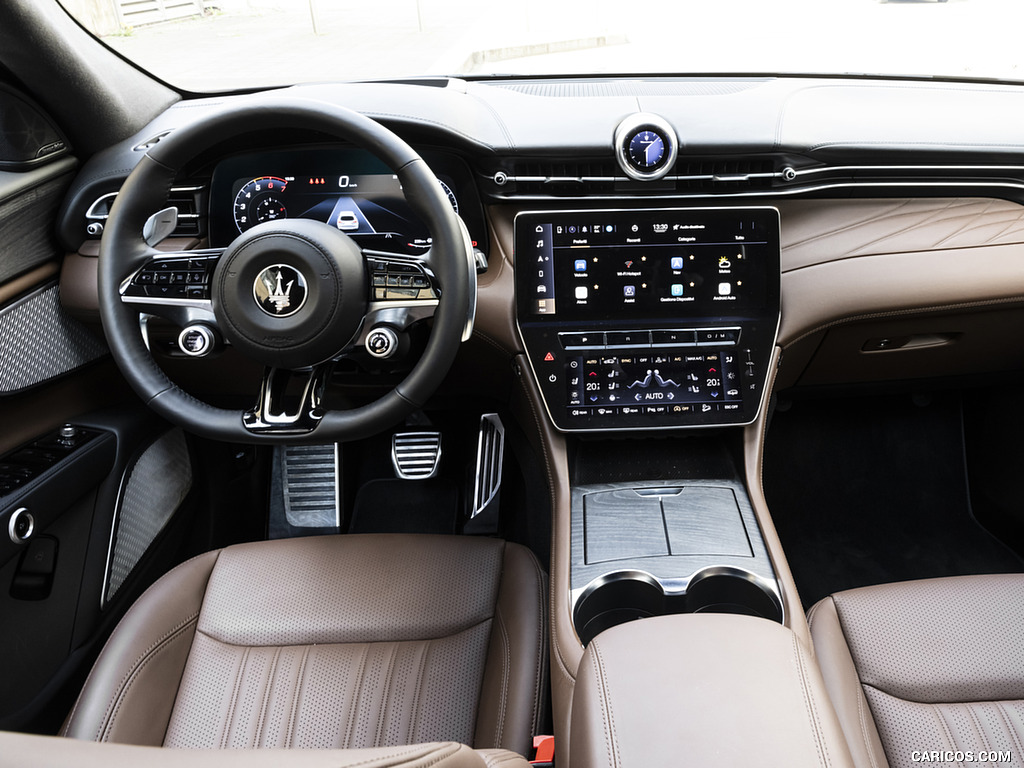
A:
[345, 643]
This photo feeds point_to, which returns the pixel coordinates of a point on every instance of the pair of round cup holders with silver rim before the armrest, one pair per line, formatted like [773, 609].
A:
[628, 595]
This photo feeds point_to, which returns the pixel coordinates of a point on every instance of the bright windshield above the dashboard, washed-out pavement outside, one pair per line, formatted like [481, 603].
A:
[200, 47]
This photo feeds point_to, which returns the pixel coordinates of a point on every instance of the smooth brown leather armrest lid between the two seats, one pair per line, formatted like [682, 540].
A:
[702, 690]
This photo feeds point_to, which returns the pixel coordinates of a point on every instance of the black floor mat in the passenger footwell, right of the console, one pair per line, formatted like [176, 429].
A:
[875, 490]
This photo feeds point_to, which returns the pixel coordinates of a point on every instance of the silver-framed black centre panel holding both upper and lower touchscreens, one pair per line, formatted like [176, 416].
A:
[649, 319]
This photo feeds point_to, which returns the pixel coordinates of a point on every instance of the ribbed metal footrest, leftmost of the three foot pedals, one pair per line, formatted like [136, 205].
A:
[311, 486]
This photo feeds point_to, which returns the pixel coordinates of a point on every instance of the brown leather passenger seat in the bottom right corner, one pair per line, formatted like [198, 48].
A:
[935, 666]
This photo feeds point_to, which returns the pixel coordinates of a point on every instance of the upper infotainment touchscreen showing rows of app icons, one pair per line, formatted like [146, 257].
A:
[663, 264]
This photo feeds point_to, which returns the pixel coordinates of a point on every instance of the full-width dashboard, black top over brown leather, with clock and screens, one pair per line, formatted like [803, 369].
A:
[877, 219]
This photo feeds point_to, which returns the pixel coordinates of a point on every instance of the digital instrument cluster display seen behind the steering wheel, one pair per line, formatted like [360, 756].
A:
[349, 189]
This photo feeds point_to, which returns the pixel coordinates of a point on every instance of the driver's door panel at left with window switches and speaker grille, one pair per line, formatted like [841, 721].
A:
[108, 514]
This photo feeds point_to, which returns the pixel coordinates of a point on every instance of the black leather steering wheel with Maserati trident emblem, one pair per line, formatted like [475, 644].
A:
[292, 294]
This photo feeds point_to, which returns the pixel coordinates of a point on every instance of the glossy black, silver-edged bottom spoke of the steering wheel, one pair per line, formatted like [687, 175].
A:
[272, 416]
